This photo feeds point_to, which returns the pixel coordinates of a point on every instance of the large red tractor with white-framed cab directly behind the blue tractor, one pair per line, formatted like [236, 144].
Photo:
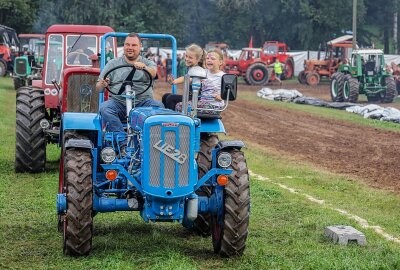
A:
[70, 72]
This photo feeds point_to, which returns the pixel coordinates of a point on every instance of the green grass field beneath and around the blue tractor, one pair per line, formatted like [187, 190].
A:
[286, 228]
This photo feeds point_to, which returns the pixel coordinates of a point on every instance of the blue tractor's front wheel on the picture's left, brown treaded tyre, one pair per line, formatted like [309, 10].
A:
[78, 221]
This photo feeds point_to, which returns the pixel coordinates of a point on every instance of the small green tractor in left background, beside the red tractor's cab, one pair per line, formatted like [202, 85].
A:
[28, 66]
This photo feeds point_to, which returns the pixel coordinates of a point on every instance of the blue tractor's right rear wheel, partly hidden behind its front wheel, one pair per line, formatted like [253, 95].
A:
[204, 161]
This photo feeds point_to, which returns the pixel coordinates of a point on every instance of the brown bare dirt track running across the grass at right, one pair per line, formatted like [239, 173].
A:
[337, 146]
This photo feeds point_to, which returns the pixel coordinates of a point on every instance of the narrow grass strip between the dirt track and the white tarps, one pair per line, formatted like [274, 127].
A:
[324, 112]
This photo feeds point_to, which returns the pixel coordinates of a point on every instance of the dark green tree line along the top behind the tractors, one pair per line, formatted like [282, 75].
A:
[302, 24]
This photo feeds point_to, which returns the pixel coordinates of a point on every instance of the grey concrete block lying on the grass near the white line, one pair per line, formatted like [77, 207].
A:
[342, 234]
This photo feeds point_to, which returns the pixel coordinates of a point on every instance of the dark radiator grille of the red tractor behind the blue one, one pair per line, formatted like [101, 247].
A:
[81, 93]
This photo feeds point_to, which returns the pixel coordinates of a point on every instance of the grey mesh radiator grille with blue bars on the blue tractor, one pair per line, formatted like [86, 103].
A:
[170, 174]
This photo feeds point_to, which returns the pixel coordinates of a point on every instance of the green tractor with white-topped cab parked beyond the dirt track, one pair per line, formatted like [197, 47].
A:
[365, 74]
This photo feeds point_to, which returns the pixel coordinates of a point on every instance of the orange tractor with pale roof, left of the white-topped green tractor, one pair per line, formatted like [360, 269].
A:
[337, 52]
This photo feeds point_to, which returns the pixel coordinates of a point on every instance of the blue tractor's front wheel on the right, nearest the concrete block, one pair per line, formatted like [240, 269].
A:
[229, 238]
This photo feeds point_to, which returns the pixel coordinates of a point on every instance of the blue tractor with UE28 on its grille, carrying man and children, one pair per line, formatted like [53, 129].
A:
[174, 168]
